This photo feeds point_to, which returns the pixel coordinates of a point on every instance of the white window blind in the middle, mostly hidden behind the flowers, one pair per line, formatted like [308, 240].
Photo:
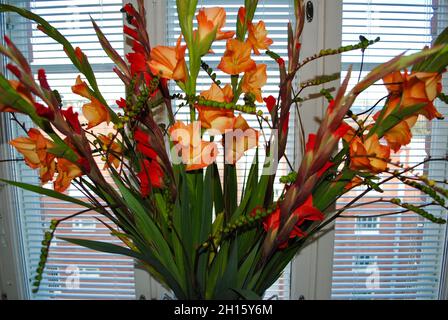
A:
[275, 14]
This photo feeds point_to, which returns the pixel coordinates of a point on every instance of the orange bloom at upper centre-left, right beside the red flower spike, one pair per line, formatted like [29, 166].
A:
[169, 62]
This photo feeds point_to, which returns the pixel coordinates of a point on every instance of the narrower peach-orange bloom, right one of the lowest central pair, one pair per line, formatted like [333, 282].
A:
[238, 140]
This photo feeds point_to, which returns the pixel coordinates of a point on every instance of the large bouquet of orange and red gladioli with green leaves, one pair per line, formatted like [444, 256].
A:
[169, 189]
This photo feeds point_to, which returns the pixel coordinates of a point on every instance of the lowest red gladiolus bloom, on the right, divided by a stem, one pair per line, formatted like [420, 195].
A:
[306, 212]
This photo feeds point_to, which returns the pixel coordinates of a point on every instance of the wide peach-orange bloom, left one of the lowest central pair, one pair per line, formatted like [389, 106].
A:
[195, 153]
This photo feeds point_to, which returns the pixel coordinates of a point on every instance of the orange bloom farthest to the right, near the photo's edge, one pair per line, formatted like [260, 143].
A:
[423, 87]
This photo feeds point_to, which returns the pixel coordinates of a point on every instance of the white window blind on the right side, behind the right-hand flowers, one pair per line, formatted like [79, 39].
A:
[393, 257]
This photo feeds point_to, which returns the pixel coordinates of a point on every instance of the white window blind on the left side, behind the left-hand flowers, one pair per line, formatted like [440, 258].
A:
[72, 272]
